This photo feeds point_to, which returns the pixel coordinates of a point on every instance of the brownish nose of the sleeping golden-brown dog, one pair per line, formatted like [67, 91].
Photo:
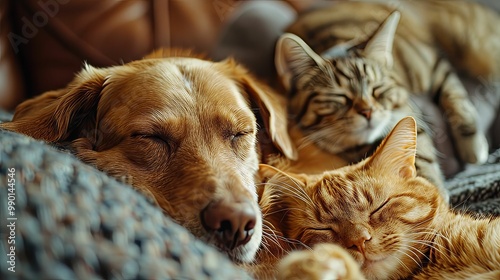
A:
[232, 222]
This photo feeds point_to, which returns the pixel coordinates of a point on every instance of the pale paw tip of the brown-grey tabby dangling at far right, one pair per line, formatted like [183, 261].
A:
[473, 149]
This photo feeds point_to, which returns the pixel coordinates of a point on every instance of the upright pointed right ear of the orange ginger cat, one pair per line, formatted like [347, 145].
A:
[396, 154]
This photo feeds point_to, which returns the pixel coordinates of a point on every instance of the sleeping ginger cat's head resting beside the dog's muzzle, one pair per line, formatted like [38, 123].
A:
[378, 209]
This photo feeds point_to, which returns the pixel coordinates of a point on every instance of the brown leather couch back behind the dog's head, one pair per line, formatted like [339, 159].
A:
[43, 43]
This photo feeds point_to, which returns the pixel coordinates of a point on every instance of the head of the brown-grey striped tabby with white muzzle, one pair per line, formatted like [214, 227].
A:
[346, 96]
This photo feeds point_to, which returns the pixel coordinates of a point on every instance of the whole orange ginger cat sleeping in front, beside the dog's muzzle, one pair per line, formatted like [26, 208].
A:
[376, 219]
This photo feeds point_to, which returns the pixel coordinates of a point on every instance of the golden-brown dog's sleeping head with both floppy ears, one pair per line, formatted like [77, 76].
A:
[179, 129]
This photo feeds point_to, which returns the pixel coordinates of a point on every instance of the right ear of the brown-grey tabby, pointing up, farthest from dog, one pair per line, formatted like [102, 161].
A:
[379, 46]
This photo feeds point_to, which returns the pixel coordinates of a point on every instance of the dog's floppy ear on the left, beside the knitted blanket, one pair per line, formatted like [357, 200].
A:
[53, 115]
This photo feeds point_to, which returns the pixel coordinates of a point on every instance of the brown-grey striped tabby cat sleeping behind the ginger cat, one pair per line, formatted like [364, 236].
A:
[351, 82]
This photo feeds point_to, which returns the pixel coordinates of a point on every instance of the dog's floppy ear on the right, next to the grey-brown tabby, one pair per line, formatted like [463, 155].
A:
[272, 108]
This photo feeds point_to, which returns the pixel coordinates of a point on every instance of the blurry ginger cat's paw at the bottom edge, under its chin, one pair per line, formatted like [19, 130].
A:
[325, 261]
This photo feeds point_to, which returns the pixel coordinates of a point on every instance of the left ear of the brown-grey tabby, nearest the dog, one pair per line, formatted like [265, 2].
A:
[293, 57]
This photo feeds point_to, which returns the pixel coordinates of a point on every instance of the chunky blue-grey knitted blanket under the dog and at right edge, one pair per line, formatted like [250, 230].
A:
[70, 221]
